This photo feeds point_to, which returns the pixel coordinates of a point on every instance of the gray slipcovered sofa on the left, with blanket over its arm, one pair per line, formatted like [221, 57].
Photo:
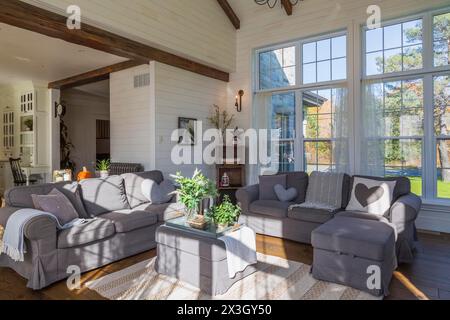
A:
[125, 224]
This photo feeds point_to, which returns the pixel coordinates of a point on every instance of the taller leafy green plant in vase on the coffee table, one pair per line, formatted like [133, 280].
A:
[192, 192]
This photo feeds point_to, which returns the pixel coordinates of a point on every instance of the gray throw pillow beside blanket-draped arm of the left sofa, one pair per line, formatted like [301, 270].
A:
[57, 204]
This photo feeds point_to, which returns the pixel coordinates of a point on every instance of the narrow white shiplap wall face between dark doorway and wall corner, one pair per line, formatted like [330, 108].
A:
[132, 132]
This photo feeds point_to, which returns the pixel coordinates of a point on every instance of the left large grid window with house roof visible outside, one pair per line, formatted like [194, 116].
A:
[300, 88]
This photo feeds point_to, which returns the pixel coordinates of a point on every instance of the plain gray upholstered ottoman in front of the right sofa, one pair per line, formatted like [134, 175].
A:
[352, 252]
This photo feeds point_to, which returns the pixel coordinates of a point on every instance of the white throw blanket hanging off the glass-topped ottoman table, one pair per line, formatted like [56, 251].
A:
[241, 250]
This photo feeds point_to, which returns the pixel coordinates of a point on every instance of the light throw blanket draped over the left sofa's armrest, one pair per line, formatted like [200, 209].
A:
[13, 243]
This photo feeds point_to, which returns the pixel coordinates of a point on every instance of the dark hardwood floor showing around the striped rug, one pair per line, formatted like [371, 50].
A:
[427, 278]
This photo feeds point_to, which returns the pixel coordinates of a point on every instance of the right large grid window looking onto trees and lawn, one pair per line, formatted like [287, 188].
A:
[397, 110]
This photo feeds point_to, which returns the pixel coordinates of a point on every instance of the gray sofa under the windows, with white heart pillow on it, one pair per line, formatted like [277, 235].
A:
[272, 217]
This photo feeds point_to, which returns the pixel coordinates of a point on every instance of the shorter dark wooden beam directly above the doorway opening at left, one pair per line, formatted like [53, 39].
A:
[92, 76]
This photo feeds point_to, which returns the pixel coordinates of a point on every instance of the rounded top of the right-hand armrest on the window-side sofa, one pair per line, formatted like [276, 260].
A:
[405, 209]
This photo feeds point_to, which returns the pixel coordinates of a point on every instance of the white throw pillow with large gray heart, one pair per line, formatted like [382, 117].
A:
[371, 196]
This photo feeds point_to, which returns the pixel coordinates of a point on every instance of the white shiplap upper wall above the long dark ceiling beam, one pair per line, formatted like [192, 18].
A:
[197, 29]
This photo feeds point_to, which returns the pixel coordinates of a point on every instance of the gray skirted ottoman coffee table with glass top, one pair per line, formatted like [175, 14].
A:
[195, 256]
